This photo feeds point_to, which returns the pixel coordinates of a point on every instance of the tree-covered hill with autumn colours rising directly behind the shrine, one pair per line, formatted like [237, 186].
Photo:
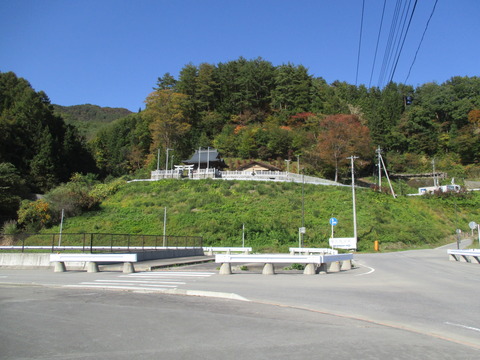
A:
[252, 109]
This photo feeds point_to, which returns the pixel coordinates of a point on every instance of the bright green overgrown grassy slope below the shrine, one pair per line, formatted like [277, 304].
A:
[272, 213]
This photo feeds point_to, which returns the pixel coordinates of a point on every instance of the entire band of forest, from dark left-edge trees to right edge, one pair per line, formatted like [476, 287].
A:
[247, 109]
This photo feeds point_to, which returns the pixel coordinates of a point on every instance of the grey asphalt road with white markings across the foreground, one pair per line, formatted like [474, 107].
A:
[404, 305]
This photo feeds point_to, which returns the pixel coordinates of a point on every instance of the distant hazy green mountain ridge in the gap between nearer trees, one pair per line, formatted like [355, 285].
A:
[88, 118]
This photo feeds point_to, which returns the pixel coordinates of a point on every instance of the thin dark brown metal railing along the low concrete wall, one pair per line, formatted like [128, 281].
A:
[96, 242]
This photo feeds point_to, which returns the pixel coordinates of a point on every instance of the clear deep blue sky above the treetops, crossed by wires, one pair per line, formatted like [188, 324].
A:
[111, 52]
